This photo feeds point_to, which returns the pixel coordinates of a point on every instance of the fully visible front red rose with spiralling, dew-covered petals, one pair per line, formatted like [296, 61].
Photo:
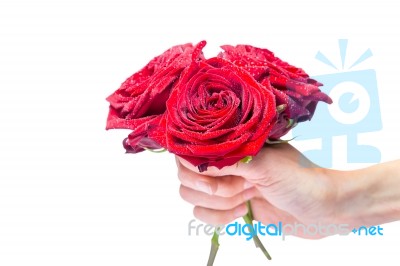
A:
[217, 115]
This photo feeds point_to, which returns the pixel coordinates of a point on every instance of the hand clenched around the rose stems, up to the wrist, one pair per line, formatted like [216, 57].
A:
[281, 183]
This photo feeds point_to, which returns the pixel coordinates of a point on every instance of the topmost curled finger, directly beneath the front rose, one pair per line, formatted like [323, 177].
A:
[223, 186]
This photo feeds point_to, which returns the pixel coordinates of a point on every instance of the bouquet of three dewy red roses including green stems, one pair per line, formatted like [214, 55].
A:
[216, 111]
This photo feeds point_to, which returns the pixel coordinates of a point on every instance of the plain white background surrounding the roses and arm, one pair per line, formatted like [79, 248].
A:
[68, 193]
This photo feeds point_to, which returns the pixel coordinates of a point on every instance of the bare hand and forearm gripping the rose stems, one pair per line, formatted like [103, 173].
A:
[285, 186]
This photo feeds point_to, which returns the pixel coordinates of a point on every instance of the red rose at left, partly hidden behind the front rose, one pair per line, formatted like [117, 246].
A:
[141, 100]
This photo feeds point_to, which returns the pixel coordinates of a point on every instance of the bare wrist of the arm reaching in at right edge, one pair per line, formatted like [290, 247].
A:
[366, 197]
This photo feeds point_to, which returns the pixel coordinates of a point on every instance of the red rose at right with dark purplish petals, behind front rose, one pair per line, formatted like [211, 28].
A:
[296, 93]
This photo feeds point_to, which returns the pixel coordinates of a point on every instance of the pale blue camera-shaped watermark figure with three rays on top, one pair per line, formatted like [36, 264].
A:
[355, 109]
